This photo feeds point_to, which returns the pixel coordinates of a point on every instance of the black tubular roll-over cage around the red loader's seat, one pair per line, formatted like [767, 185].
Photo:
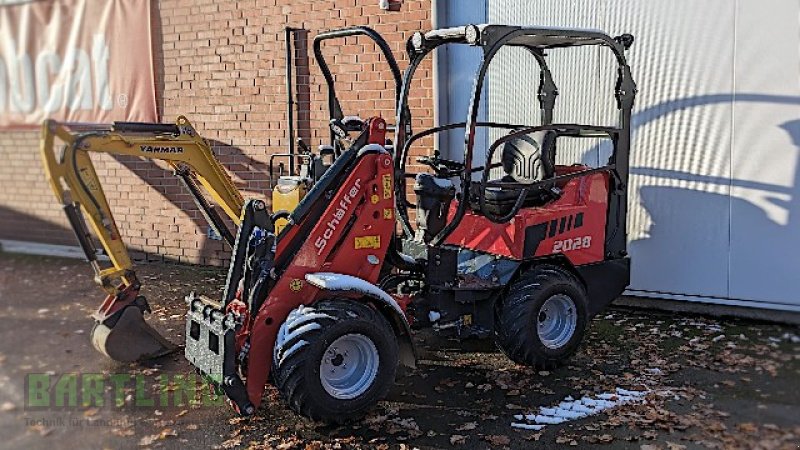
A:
[536, 40]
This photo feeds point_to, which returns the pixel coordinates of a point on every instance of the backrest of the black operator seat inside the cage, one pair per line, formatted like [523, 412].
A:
[530, 157]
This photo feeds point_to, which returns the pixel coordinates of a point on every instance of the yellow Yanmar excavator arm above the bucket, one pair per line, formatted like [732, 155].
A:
[76, 185]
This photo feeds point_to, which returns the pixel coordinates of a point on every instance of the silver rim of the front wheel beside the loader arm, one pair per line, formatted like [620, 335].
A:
[349, 366]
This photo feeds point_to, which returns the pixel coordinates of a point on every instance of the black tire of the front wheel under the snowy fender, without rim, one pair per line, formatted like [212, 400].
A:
[296, 365]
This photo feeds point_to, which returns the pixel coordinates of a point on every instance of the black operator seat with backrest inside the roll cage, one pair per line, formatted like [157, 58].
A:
[524, 159]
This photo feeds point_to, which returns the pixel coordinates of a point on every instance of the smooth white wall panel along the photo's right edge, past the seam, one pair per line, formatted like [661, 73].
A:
[765, 196]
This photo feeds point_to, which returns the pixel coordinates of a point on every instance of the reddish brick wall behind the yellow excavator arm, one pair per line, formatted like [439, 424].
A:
[221, 63]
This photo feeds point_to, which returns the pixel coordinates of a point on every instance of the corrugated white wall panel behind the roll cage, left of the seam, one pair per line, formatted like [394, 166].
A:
[678, 225]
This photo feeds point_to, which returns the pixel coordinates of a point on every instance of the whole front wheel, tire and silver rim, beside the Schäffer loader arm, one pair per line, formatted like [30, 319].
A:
[333, 361]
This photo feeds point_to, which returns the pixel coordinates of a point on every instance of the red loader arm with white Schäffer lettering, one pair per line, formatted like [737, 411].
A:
[367, 195]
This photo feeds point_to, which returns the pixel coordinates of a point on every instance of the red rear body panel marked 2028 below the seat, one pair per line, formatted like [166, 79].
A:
[573, 225]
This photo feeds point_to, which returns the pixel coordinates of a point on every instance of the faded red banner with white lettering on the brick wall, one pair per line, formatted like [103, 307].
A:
[76, 61]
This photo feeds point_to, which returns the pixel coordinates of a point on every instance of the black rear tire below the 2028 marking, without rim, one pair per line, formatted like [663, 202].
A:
[519, 315]
